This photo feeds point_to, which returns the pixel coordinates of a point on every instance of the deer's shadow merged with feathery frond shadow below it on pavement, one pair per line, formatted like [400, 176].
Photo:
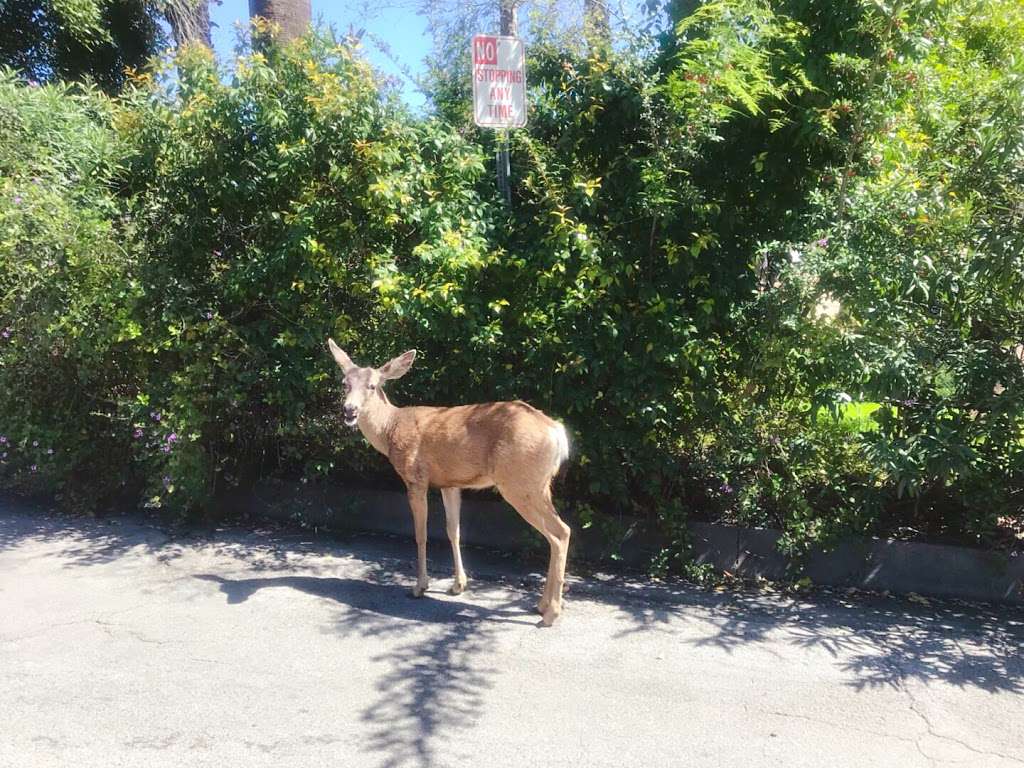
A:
[435, 679]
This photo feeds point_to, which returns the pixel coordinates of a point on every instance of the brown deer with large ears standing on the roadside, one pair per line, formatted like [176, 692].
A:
[508, 446]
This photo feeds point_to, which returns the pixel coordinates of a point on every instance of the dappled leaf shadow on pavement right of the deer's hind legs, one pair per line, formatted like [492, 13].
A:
[879, 641]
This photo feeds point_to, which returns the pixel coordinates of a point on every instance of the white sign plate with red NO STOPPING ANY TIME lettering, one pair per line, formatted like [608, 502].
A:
[499, 82]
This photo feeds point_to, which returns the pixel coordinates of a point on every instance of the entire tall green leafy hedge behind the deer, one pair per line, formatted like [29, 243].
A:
[766, 267]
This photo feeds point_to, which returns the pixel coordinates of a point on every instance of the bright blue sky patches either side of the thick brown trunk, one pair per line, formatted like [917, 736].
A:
[404, 32]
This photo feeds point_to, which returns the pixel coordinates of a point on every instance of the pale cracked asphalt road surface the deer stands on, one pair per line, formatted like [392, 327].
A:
[127, 644]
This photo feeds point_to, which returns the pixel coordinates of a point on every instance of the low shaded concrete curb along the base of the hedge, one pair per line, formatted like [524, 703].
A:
[902, 568]
